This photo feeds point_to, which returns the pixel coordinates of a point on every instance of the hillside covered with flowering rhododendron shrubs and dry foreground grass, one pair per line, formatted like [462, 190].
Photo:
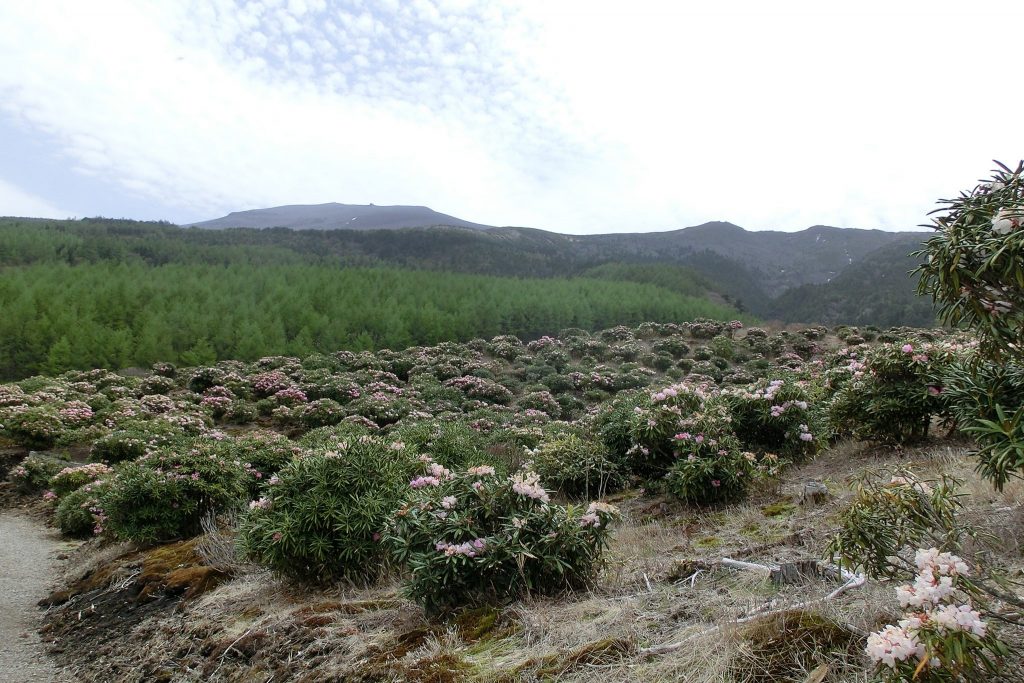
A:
[309, 520]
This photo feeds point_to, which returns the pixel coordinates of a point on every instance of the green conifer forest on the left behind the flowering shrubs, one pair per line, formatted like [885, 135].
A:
[94, 294]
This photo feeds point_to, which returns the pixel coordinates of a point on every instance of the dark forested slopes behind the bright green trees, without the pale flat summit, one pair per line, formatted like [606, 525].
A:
[752, 270]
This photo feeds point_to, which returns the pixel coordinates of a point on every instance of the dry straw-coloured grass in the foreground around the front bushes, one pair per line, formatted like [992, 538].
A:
[663, 584]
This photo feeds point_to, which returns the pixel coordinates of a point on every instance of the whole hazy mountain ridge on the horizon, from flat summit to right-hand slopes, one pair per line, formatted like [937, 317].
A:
[823, 274]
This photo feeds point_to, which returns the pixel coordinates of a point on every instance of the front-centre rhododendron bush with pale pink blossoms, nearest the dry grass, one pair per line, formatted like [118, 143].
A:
[472, 536]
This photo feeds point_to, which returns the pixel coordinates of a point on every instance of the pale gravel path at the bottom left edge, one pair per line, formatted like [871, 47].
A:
[27, 572]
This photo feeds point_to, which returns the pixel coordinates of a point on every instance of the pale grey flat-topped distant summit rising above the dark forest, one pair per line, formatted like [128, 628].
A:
[338, 218]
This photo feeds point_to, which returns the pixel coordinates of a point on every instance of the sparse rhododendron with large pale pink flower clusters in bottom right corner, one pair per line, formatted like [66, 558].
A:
[946, 632]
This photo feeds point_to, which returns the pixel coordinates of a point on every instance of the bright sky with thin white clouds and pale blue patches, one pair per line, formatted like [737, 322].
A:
[575, 116]
